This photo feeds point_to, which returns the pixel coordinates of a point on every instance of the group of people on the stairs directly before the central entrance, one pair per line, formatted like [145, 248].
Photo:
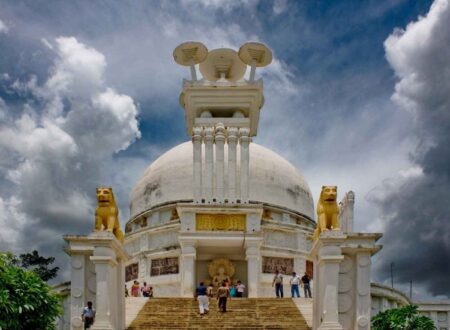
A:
[224, 292]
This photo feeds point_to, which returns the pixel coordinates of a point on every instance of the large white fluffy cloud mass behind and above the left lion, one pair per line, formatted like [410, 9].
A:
[62, 143]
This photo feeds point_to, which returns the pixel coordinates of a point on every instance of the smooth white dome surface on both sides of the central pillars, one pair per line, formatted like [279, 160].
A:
[273, 180]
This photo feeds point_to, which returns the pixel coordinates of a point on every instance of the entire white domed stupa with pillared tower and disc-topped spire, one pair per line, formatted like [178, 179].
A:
[220, 200]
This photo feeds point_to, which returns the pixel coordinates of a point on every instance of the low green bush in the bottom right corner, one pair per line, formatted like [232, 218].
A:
[404, 318]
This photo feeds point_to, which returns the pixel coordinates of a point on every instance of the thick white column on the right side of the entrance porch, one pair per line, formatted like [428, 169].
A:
[253, 257]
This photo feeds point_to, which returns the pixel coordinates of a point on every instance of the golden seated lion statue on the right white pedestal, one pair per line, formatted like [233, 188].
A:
[327, 211]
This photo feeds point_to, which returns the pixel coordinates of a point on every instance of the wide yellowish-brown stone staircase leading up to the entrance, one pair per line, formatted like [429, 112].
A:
[242, 313]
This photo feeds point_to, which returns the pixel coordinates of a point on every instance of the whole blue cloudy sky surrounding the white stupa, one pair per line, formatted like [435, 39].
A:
[358, 96]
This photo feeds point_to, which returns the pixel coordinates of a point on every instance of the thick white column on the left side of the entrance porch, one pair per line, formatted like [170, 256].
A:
[188, 255]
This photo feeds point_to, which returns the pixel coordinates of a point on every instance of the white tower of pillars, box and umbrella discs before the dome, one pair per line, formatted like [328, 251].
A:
[222, 115]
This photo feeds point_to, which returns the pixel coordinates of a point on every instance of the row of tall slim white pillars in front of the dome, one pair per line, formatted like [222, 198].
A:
[209, 176]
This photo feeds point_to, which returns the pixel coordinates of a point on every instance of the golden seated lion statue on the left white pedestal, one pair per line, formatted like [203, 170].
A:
[106, 213]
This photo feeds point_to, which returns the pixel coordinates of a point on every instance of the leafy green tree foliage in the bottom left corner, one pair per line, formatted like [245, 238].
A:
[26, 301]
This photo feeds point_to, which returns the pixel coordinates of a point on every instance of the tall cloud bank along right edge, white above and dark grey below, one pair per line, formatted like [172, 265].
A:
[417, 207]
